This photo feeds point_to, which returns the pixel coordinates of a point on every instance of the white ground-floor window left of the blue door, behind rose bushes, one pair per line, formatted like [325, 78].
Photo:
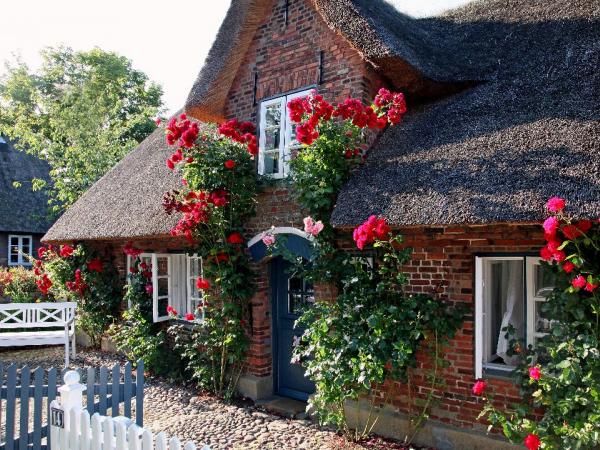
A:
[174, 284]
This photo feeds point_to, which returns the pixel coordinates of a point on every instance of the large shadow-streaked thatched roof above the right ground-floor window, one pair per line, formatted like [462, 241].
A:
[496, 152]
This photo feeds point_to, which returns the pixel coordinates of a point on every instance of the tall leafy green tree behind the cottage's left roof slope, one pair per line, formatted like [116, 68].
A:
[81, 112]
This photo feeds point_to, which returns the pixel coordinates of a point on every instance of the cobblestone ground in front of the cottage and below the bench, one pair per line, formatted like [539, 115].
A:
[181, 411]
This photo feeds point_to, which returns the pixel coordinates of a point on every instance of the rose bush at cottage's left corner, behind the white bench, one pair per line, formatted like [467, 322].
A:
[98, 304]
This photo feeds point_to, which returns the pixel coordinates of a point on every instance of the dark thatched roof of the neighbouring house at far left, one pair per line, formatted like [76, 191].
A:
[21, 209]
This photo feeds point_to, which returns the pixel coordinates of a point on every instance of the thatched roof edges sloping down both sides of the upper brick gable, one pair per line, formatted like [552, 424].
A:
[410, 56]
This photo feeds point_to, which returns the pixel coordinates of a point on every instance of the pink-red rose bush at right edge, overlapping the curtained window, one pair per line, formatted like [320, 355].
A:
[560, 378]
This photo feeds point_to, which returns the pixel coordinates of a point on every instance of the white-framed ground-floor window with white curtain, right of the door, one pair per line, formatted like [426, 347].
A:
[509, 291]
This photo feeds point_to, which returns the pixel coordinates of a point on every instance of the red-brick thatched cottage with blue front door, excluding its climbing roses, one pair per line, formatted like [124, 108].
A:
[504, 112]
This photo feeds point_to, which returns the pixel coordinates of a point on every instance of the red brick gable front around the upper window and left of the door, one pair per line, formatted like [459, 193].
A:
[282, 58]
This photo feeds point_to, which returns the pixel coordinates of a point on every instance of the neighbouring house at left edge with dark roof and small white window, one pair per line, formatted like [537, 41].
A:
[23, 213]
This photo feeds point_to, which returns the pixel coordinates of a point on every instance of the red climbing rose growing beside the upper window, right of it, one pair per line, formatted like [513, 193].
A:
[335, 140]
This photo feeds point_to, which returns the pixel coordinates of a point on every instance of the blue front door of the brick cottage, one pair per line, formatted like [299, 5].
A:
[291, 296]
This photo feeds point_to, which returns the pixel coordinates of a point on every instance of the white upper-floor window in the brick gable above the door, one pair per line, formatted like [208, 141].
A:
[277, 137]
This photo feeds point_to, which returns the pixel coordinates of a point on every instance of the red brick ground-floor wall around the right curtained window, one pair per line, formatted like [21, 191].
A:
[443, 264]
